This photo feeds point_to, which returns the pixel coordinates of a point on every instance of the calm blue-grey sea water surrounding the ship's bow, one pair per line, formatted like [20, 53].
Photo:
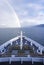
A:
[35, 33]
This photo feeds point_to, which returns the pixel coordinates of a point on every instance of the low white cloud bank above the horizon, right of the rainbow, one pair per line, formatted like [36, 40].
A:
[30, 21]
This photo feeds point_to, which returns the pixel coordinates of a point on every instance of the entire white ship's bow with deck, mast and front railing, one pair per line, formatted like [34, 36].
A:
[21, 49]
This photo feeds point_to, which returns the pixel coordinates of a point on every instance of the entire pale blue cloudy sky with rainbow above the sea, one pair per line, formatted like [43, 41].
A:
[21, 13]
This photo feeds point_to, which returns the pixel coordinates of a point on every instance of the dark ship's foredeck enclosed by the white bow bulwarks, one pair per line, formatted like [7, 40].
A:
[27, 50]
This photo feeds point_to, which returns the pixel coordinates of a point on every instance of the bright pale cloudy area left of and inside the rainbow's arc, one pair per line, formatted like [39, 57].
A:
[8, 17]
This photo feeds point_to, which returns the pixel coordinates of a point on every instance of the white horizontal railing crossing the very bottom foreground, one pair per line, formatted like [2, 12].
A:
[22, 59]
